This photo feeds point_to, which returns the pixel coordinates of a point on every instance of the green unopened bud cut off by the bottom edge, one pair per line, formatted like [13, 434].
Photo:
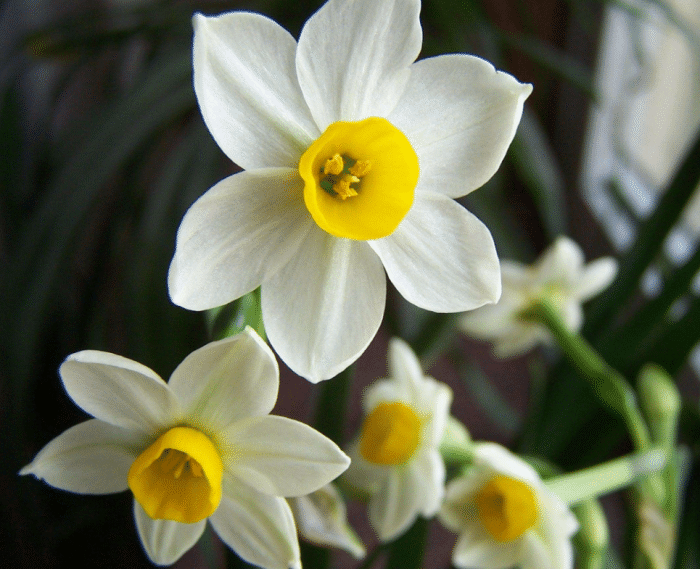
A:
[593, 537]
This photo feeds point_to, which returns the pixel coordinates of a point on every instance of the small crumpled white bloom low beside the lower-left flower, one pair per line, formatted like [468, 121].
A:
[321, 518]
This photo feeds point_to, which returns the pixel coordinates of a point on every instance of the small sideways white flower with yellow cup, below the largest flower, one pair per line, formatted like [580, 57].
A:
[396, 458]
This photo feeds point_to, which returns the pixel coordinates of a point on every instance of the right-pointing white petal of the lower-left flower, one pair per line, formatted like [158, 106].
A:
[280, 456]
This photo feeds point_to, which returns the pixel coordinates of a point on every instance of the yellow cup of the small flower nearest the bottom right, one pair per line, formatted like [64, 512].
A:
[507, 508]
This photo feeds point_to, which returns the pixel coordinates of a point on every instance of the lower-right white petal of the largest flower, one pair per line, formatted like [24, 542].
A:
[441, 257]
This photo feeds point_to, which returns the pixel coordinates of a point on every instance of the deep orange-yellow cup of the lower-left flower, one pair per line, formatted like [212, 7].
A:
[178, 477]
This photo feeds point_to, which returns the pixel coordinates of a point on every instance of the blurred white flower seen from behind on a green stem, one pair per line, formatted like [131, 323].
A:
[560, 275]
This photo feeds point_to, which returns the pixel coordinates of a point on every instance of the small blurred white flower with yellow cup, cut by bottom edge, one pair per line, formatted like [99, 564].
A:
[505, 516]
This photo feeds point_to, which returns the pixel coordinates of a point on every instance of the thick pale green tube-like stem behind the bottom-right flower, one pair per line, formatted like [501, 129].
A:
[606, 477]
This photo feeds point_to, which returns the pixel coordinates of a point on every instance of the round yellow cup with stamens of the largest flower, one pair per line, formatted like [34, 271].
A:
[359, 178]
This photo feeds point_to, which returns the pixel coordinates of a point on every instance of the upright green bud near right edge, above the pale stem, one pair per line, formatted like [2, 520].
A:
[661, 403]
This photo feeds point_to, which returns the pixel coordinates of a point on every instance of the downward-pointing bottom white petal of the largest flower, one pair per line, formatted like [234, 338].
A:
[324, 307]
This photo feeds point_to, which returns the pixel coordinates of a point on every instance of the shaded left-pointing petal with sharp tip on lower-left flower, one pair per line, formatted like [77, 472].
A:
[92, 457]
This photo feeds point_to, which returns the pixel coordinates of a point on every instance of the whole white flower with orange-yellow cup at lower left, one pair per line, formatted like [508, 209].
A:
[202, 446]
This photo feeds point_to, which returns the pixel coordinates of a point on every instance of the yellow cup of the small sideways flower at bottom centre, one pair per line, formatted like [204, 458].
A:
[390, 434]
